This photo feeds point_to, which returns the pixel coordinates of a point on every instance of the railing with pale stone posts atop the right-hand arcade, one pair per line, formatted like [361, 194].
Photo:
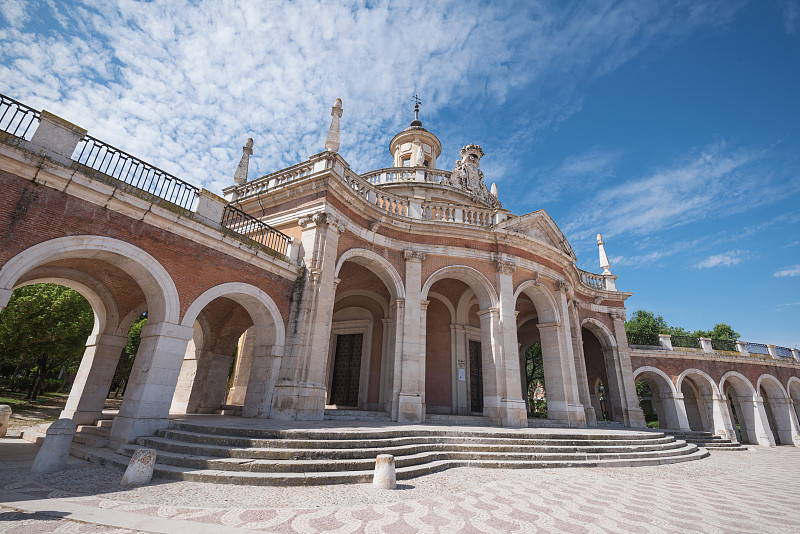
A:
[758, 351]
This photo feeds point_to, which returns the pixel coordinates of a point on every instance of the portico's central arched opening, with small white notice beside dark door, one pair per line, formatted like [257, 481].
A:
[459, 318]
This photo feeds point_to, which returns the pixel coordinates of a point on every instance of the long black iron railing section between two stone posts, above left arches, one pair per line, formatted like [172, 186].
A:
[118, 164]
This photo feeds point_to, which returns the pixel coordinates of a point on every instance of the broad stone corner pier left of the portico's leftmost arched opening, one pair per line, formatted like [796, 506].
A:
[300, 392]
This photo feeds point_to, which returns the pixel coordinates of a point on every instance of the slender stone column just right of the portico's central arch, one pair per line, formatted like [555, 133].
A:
[513, 411]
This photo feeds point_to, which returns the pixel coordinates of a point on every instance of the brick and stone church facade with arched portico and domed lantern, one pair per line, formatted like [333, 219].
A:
[422, 295]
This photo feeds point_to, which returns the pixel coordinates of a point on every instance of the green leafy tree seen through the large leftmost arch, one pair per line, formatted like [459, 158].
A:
[43, 329]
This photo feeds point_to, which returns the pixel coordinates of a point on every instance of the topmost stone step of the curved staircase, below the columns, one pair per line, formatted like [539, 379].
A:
[477, 440]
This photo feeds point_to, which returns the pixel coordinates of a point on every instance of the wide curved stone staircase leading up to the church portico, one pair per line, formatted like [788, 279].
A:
[204, 453]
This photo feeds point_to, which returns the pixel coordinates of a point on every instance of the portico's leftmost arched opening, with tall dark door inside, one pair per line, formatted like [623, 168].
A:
[361, 357]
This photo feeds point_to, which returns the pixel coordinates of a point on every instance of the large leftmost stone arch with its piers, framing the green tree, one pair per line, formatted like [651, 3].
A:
[120, 281]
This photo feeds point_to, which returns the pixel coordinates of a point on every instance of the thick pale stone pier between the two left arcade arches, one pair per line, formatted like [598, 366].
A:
[152, 382]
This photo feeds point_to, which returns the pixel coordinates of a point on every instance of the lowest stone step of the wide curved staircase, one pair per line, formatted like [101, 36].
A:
[403, 473]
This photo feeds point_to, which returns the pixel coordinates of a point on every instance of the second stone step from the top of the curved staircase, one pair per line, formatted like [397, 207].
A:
[172, 442]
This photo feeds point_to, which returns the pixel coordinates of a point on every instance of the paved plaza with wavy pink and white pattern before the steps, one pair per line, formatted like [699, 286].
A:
[753, 491]
